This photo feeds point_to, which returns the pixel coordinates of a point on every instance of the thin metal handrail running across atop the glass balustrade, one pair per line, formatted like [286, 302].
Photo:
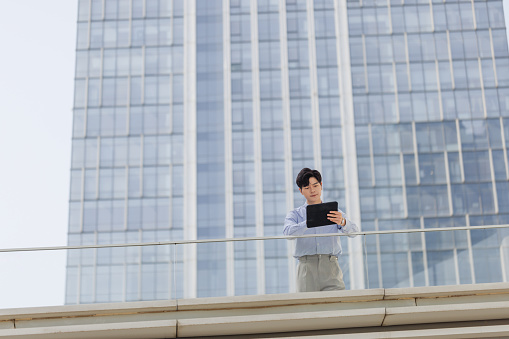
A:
[205, 241]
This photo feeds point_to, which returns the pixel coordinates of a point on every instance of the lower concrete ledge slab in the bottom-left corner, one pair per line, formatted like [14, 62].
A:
[136, 330]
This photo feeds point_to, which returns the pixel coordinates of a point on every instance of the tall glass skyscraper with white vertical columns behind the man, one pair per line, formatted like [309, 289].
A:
[192, 119]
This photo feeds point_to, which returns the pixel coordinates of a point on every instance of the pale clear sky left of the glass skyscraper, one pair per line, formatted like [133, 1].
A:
[37, 40]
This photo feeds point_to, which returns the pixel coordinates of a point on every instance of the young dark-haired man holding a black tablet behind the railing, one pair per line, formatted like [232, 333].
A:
[318, 268]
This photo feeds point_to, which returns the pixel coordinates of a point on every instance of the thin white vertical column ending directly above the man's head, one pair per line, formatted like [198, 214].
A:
[313, 85]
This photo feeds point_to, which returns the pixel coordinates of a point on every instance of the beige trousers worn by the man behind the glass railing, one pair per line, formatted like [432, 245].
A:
[319, 272]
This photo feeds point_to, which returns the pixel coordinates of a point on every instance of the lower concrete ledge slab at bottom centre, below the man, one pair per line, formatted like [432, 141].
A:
[283, 323]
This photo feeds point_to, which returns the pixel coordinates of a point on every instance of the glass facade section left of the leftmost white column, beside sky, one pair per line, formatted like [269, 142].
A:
[127, 161]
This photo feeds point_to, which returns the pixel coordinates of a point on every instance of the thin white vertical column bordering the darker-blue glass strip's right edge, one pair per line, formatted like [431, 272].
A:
[228, 160]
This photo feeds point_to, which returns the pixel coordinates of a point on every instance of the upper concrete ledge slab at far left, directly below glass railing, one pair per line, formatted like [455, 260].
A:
[88, 310]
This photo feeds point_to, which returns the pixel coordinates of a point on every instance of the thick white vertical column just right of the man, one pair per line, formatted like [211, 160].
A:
[349, 143]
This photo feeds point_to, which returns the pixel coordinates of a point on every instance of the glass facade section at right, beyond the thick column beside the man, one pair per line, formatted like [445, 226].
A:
[430, 104]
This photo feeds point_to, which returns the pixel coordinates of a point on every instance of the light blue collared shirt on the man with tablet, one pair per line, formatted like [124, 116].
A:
[295, 224]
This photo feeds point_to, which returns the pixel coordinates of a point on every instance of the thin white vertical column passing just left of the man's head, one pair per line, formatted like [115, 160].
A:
[285, 96]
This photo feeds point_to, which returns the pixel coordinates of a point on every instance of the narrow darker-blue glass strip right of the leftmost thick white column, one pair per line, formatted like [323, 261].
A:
[211, 263]
